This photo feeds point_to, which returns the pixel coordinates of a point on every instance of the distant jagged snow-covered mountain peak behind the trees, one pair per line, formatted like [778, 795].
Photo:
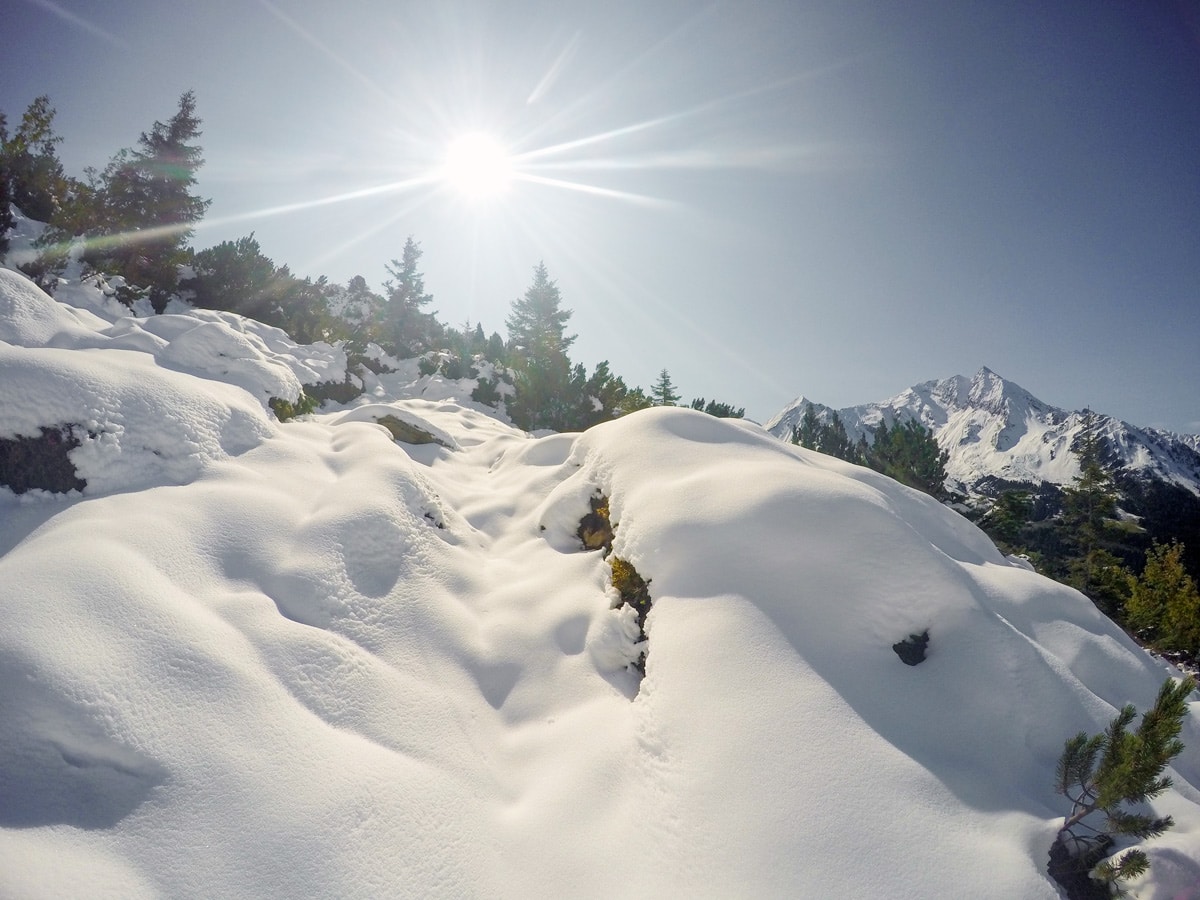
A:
[995, 431]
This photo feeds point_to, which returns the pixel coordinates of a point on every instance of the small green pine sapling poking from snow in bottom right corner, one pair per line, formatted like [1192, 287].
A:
[1105, 772]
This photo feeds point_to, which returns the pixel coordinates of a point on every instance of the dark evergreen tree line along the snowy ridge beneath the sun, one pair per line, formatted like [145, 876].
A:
[135, 221]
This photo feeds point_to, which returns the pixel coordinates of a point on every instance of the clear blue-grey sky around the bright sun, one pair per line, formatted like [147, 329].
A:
[831, 199]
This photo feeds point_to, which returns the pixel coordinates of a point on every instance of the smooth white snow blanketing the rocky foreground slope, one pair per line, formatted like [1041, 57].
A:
[267, 661]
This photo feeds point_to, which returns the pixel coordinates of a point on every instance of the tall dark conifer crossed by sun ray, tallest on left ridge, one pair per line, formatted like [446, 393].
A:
[148, 205]
